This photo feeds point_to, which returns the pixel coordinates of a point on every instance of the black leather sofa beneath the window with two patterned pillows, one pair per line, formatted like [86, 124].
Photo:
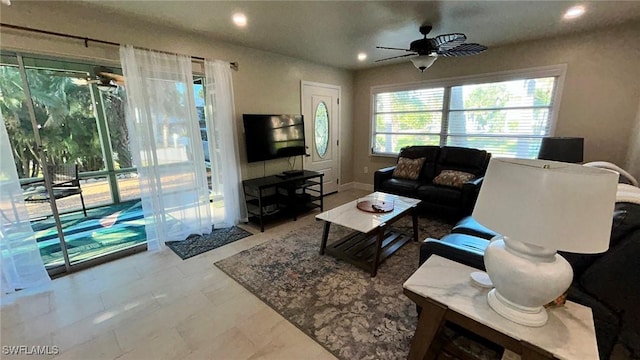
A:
[444, 200]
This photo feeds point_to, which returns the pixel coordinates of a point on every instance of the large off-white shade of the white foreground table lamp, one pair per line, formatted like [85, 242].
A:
[550, 204]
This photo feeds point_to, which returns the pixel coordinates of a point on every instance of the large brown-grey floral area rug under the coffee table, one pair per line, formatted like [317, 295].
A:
[340, 306]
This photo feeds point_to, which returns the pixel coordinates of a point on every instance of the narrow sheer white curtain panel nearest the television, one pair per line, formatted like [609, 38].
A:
[223, 144]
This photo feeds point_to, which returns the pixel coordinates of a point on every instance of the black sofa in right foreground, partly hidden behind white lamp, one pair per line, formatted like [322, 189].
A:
[608, 283]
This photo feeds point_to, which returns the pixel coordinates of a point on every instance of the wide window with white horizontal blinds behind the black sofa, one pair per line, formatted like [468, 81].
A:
[505, 114]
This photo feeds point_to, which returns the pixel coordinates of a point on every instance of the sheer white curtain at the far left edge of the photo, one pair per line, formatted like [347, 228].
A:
[22, 265]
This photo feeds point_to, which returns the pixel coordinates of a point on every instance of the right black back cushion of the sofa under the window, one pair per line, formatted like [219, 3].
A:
[469, 160]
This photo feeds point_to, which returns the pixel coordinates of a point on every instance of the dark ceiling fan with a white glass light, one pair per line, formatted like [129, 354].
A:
[425, 51]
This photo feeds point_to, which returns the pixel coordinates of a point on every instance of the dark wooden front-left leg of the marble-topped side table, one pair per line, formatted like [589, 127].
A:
[429, 324]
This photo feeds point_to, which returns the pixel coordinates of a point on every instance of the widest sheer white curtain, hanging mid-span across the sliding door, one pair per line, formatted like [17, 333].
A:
[167, 148]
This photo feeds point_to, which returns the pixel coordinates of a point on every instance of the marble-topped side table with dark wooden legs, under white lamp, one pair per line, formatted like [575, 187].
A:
[444, 291]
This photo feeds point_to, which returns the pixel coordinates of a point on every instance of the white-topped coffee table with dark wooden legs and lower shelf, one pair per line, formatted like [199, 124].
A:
[373, 239]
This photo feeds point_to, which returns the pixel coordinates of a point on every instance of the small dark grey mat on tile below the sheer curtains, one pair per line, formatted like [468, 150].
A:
[198, 244]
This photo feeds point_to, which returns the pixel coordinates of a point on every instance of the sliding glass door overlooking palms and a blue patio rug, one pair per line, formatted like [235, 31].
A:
[82, 126]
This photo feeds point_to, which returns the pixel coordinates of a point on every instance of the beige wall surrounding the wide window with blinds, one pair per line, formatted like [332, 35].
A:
[599, 100]
